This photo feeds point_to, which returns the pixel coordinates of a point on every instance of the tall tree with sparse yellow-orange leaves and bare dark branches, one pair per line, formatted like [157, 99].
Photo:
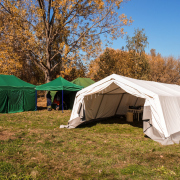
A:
[52, 33]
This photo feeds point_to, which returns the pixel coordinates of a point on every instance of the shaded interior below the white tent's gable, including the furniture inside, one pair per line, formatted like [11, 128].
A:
[99, 106]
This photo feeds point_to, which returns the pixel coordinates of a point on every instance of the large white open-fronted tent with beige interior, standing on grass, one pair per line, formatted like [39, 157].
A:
[114, 94]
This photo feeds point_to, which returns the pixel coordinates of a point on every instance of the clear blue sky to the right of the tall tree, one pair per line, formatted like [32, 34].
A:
[160, 20]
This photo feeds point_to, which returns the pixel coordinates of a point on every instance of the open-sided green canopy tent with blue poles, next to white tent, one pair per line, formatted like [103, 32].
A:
[66, 90]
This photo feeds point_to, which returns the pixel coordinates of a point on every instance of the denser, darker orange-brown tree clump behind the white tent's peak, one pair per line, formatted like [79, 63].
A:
[126, 63]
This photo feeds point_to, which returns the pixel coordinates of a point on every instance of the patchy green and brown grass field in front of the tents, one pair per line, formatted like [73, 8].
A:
[32, 146]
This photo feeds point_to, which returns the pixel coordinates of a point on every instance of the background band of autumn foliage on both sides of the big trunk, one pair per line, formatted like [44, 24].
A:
[130, 61]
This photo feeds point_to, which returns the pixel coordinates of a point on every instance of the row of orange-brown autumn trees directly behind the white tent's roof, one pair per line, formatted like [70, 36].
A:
[136, 65]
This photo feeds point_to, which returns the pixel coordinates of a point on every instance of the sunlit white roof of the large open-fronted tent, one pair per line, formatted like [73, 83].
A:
[149, 88]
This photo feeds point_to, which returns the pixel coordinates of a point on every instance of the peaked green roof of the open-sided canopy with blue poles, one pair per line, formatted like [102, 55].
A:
[59, 84]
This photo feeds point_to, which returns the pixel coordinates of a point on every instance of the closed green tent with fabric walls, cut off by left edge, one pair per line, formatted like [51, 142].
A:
[16, 95]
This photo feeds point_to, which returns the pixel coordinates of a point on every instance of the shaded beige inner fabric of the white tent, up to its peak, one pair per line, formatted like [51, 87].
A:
[110, 102]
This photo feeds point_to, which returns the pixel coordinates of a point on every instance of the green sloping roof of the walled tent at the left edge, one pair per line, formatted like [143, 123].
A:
[13, 81]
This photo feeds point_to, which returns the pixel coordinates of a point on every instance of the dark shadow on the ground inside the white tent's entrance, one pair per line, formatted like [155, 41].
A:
[111, 120]
